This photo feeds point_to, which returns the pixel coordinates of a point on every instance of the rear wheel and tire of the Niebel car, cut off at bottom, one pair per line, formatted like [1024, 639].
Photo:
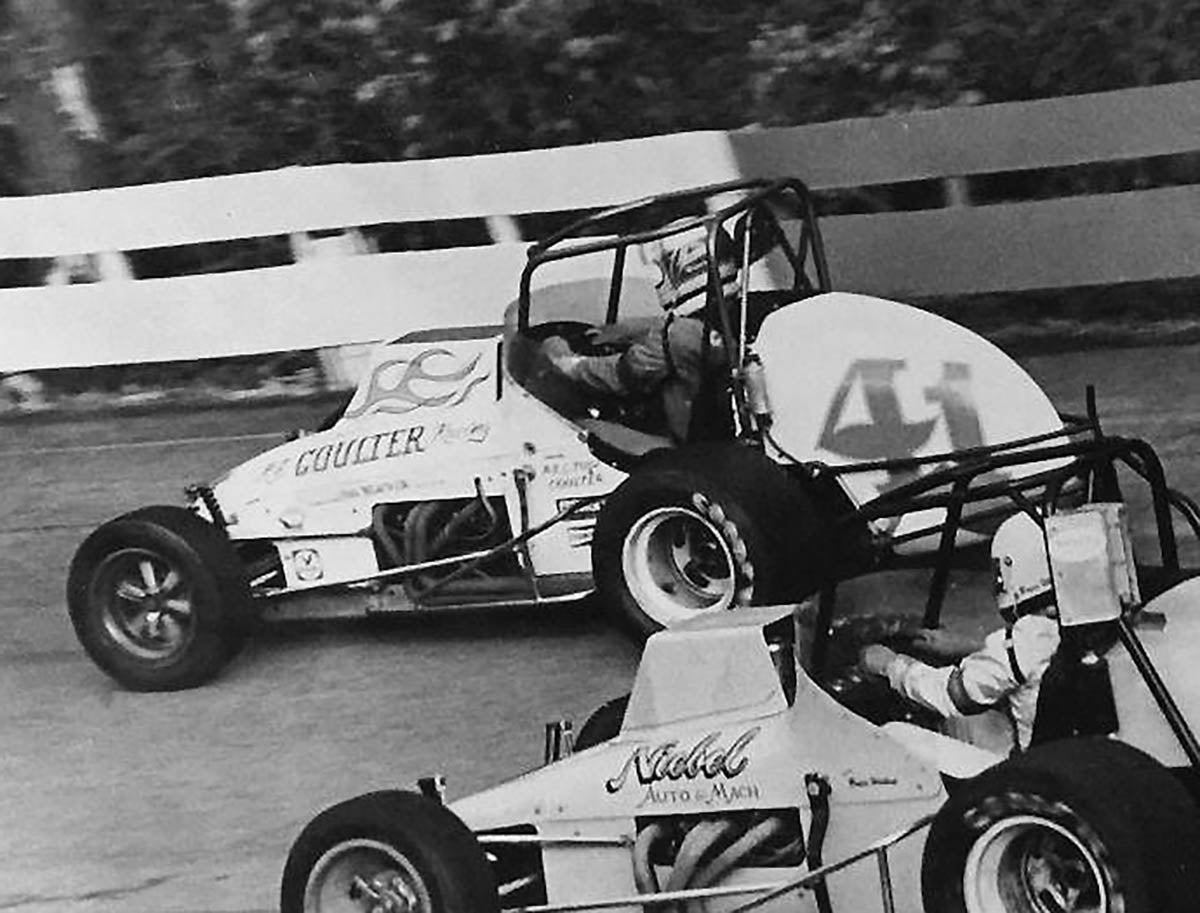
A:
[1081, 826]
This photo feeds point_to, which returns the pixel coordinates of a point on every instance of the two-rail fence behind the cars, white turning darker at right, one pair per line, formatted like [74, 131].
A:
[1046, 244]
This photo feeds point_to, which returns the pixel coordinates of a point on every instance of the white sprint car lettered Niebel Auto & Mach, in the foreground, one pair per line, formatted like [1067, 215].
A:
[740, 776]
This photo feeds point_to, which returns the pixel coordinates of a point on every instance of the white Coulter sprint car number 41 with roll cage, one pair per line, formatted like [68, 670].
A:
[825, 441]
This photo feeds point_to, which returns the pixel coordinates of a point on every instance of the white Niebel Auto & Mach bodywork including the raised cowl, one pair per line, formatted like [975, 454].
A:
[752, 752]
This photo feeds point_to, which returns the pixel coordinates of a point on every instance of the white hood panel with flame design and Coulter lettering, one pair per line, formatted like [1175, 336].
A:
[424, 423]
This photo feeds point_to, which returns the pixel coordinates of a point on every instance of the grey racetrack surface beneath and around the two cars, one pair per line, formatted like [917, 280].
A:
[169, 803]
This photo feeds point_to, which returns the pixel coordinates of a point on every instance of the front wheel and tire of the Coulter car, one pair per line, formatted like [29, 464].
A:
[158, 599]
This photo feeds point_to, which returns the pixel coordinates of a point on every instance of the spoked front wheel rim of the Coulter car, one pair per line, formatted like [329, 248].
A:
[146, 604]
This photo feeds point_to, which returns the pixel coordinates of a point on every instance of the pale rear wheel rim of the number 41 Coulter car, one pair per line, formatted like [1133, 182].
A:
[677, 564]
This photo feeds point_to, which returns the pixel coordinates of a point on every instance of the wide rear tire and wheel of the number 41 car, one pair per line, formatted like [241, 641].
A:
[704, 530]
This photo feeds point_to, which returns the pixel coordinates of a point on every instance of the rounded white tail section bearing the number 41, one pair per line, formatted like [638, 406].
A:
[854, 379]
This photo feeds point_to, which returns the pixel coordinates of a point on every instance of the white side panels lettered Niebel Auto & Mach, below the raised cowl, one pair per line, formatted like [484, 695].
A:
[717, 767]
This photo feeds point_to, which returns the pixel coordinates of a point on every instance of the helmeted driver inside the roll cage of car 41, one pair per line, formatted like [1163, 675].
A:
[664, 352]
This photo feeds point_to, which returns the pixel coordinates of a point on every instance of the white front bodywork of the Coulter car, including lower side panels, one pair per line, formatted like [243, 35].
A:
[429, 422]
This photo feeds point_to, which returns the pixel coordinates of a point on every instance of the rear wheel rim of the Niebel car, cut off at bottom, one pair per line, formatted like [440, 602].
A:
[1030, 864]
